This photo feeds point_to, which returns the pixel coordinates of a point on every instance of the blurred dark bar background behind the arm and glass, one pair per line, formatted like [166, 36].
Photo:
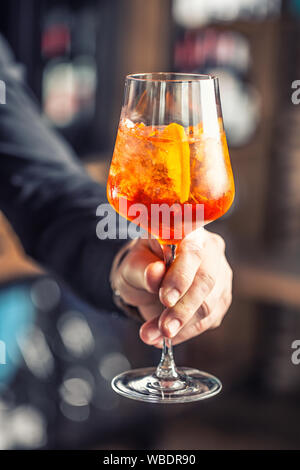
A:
[55, 388]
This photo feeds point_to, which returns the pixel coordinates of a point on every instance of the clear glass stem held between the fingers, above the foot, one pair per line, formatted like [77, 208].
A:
[166, 369]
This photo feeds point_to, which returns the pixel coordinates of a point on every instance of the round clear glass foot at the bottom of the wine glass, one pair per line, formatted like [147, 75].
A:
[143, 385]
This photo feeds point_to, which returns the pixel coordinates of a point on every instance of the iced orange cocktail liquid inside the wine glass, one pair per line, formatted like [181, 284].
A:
[170, 165]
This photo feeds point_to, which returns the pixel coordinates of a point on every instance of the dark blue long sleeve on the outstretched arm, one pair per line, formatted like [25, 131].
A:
[48, 197]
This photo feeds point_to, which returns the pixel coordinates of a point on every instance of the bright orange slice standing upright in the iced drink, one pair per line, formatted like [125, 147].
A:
[177, 159]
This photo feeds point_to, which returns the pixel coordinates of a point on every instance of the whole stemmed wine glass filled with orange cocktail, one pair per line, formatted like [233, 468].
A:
[171, 153]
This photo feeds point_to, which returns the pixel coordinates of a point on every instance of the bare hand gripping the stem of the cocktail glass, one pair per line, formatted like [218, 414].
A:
[189, 298]
